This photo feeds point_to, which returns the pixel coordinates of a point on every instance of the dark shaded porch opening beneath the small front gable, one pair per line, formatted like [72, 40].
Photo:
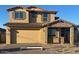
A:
[58, 35]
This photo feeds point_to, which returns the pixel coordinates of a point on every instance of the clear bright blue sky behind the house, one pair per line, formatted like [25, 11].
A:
[66, 12]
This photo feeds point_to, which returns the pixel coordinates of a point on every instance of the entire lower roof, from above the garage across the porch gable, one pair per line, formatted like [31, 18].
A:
[36, 25]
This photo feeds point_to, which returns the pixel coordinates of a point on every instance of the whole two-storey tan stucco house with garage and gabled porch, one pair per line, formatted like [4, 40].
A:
[36, 25]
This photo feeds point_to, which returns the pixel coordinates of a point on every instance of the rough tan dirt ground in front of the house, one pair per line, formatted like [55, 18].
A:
[50, 49]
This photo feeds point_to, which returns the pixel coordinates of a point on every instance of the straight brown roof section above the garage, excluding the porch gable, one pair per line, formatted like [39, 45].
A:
[30, 25]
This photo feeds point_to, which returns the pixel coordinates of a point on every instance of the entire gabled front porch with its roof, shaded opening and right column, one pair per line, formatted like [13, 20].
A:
[61, 32]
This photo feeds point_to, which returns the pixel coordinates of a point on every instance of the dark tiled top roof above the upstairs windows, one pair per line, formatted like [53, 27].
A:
[28, 9]
